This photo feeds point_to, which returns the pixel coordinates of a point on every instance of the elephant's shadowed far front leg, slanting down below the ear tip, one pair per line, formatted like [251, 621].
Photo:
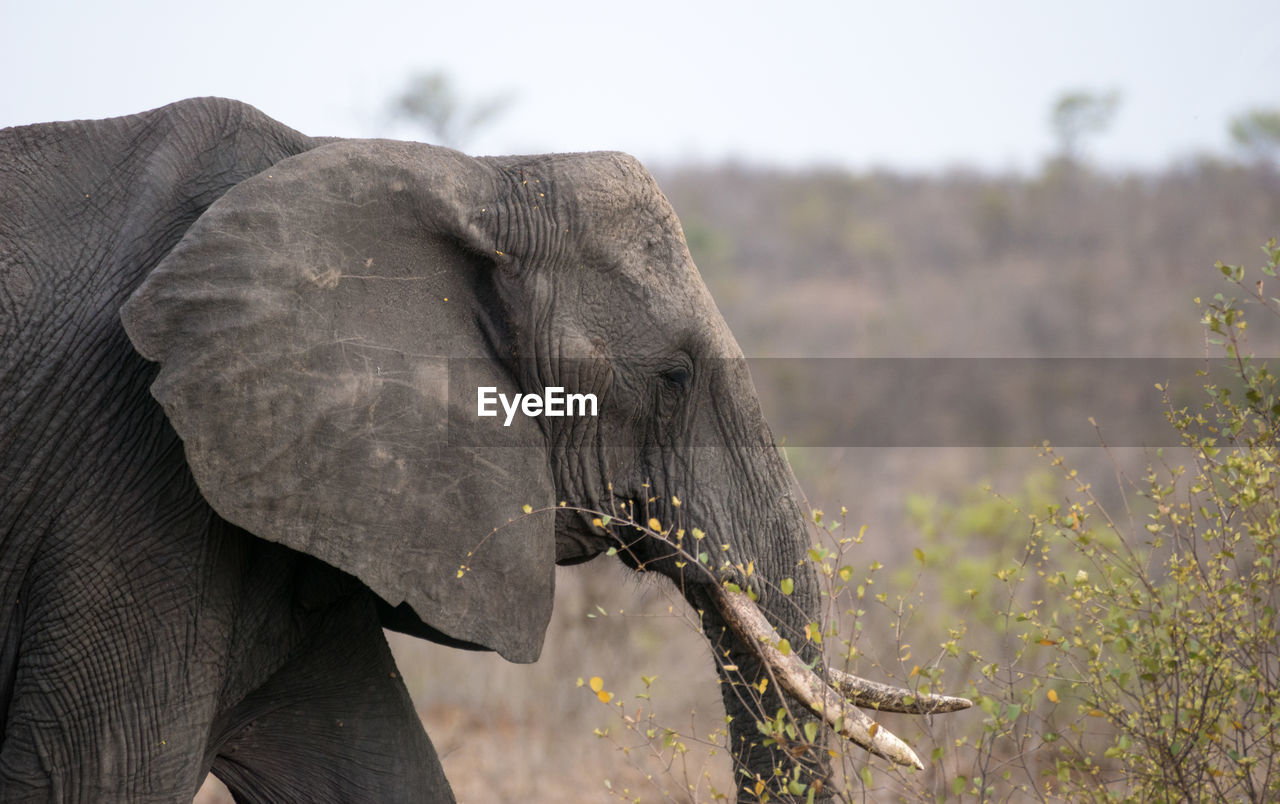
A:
[335, 724]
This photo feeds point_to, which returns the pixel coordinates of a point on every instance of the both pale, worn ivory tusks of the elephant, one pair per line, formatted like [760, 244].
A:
[835, 700]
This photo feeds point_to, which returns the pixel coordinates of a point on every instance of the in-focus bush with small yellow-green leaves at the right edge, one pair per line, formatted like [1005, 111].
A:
[1173, 641]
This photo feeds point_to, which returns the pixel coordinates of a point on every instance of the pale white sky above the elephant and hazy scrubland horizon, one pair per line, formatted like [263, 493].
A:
[913, 86]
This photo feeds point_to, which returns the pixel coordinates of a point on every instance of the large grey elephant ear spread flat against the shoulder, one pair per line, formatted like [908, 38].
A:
[307, 328]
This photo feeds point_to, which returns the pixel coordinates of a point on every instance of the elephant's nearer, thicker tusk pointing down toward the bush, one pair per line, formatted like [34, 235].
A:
[742, 615]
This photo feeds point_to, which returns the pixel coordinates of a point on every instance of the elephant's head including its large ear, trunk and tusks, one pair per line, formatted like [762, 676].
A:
[324, 330]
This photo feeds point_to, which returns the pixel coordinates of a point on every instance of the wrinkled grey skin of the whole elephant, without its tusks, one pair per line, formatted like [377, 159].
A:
[209, 513]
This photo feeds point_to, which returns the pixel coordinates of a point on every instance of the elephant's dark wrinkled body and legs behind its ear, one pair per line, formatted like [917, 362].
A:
[127, 673]
